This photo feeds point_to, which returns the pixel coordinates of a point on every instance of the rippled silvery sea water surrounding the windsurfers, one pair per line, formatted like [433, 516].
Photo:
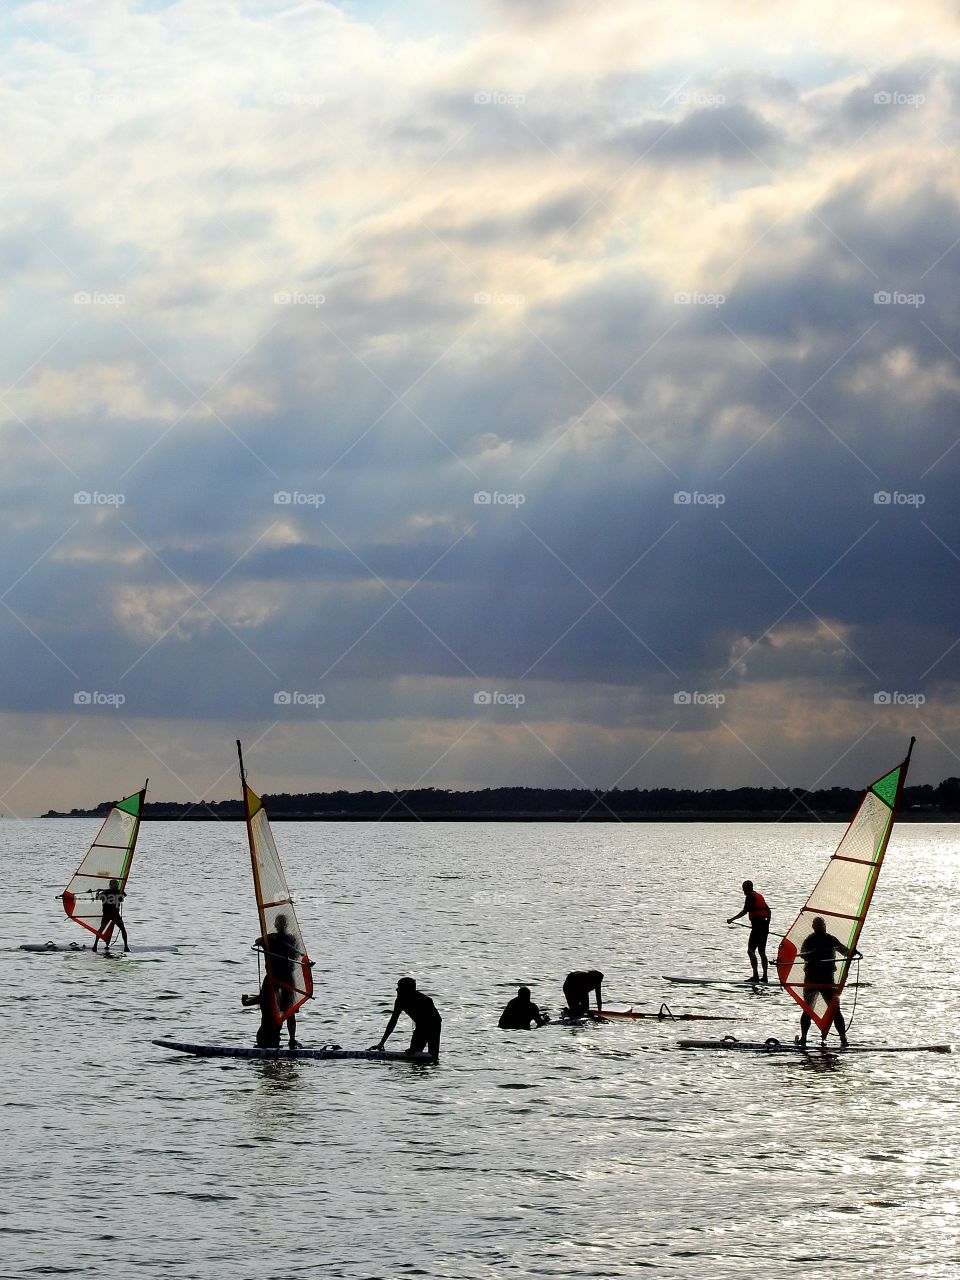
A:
[588, 1153]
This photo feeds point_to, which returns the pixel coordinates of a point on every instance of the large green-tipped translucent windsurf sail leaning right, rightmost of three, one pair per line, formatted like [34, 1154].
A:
[843, 898]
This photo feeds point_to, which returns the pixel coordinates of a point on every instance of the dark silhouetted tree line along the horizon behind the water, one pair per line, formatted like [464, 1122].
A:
[550, 803]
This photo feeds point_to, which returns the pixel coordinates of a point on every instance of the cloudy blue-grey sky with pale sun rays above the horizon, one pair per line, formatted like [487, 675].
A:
[468, 396]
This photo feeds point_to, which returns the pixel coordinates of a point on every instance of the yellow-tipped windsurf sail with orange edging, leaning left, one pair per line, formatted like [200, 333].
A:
[285, 953]
